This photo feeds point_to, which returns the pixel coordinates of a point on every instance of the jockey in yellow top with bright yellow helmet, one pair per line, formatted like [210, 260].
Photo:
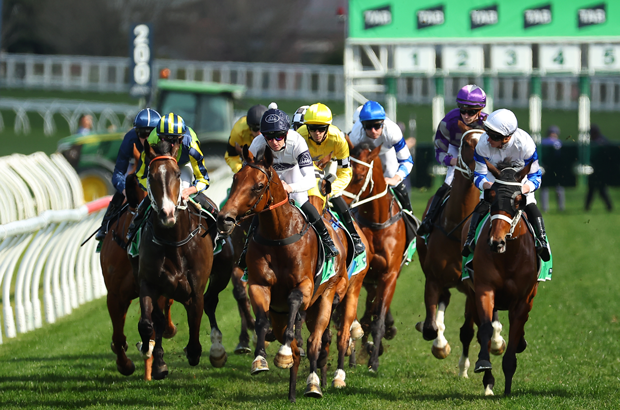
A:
[324, 138]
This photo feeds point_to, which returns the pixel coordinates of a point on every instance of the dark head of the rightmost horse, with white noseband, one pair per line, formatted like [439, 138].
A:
[507, 201]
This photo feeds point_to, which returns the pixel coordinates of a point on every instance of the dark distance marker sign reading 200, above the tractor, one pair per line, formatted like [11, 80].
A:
[140, 67]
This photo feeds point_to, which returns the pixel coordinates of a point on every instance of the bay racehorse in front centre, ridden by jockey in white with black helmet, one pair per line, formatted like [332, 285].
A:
[282, 262]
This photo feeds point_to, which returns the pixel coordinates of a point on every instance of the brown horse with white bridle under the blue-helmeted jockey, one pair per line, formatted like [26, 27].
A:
[379, 215]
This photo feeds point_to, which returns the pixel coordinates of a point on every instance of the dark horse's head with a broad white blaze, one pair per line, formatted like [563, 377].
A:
[164, 180]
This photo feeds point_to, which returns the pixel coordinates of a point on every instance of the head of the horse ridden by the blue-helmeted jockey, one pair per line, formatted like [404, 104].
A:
[364, 158]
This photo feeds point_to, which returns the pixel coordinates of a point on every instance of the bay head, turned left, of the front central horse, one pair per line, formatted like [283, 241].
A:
[252, 189]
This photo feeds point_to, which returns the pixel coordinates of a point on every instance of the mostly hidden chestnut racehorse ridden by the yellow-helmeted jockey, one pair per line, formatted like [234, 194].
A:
[345, 317]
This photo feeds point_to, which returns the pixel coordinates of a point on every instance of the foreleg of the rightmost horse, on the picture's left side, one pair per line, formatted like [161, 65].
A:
[485, 305]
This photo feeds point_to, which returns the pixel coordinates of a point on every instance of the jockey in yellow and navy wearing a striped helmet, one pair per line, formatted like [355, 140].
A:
[172, 129]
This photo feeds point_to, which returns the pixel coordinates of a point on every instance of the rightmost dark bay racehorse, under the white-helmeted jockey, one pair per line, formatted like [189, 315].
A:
[505, 272]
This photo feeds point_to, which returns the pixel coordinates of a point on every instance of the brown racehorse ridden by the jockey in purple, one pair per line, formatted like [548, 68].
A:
[441, 260]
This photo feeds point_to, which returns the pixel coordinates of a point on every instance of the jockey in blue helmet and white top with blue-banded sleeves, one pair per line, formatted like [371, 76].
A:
[376, 129]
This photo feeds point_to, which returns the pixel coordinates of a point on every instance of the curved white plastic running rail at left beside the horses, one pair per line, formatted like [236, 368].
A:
[43, 225]
